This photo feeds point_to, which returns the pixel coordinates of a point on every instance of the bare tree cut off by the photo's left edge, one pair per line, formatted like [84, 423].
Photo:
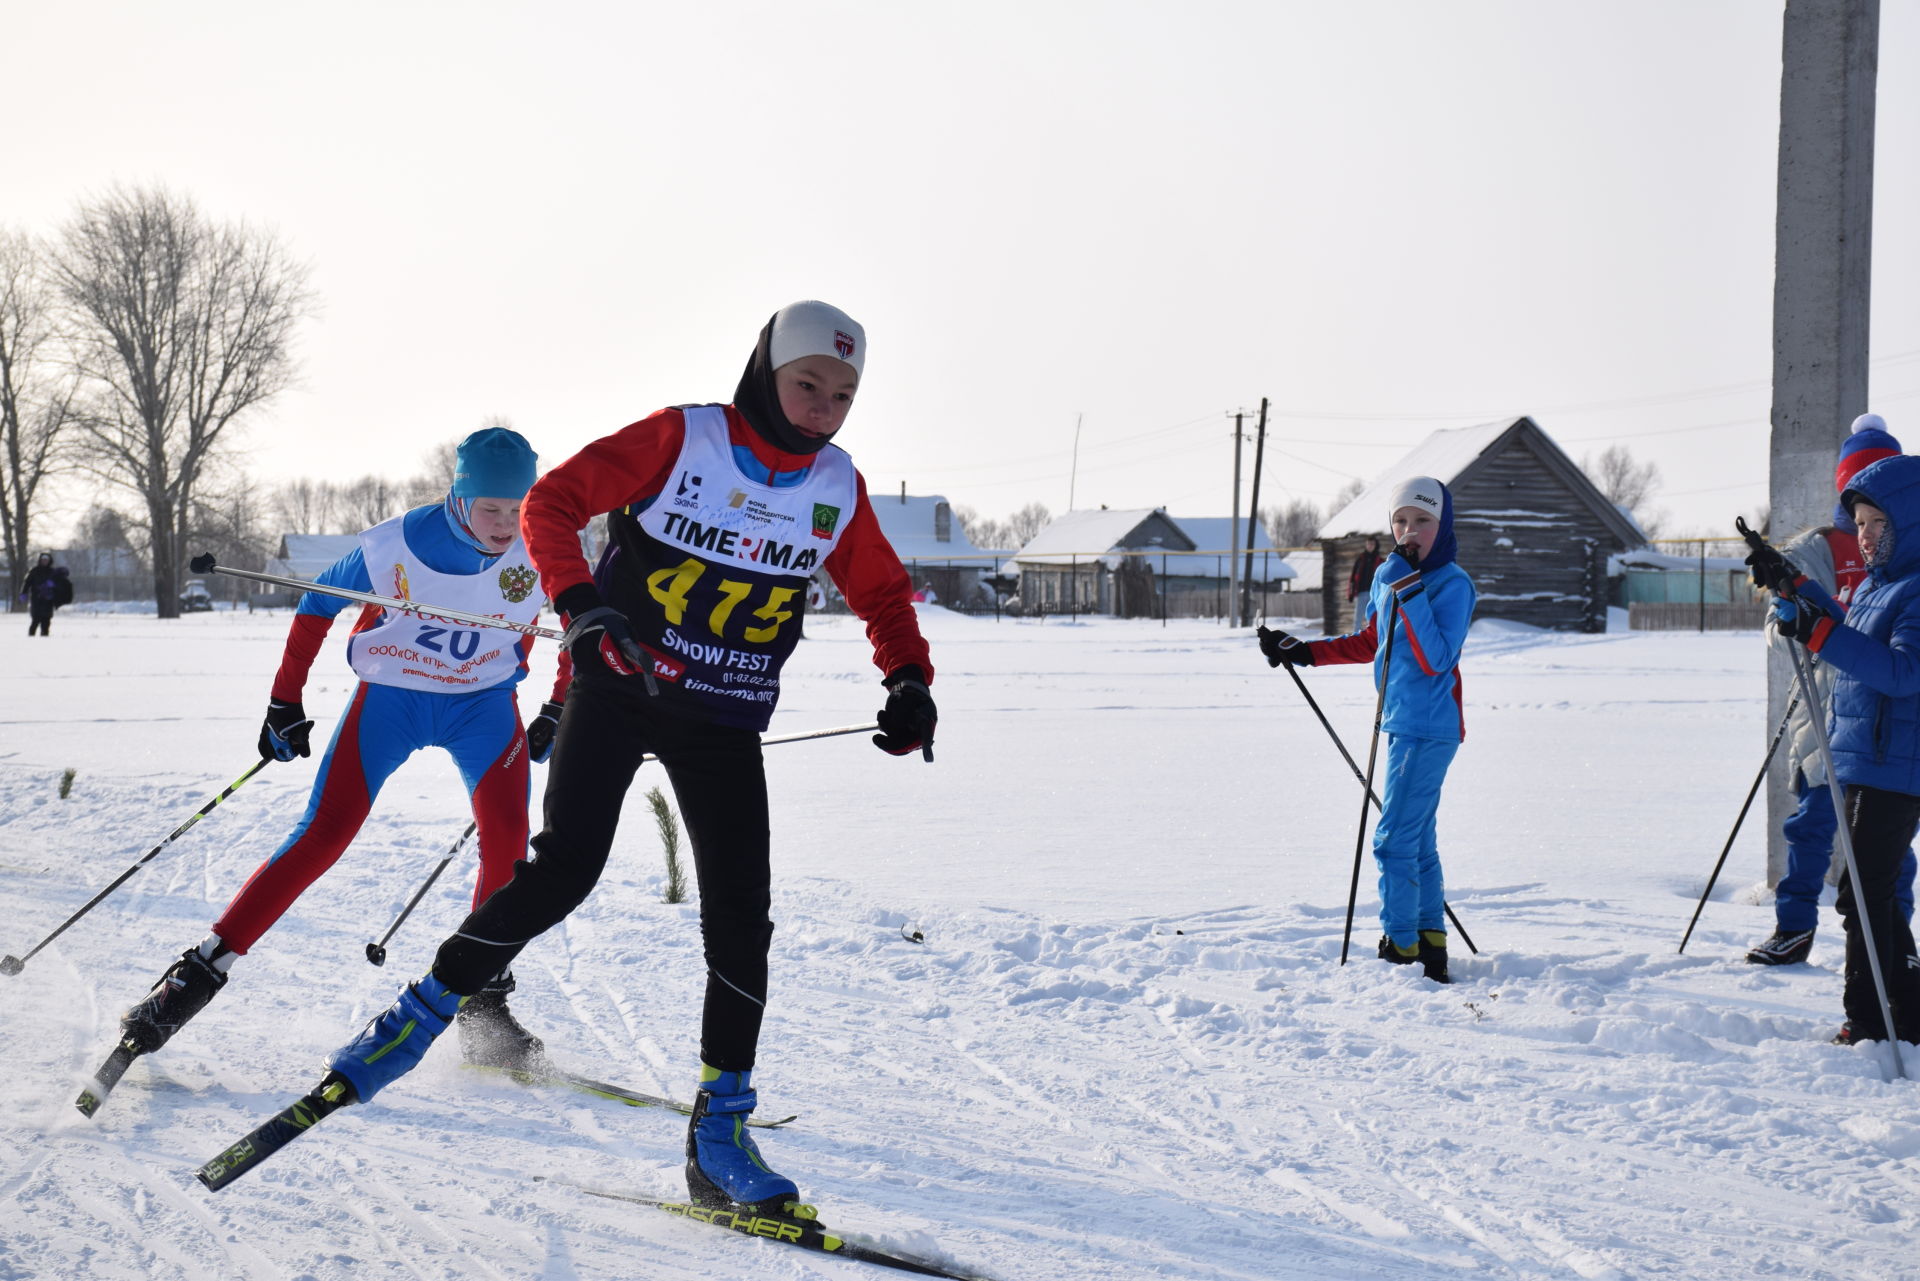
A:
[36, 400]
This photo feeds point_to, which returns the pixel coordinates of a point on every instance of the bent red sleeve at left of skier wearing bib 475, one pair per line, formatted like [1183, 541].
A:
[612, 473]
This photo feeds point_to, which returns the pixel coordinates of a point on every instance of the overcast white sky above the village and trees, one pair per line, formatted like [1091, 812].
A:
[1389, 218]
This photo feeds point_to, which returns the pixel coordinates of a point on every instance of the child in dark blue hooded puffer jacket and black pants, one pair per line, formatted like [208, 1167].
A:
[1875, 729]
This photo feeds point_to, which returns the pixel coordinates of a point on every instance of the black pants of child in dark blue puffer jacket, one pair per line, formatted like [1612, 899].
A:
[1883, 827]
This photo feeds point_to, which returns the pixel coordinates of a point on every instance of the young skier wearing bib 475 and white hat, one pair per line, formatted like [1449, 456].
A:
[719, 518]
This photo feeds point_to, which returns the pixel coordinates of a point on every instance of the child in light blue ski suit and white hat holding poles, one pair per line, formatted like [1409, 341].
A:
[1429, 604]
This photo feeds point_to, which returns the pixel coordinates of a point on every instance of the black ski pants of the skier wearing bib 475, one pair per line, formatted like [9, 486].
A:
[721, 785]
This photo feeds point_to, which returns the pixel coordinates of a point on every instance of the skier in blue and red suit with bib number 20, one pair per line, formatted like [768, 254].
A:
[423, 685]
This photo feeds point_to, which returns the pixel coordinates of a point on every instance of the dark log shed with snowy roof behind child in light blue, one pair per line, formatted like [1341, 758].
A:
[1533, 531]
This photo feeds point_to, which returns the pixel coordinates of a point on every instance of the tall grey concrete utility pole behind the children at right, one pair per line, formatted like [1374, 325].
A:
[1823, 272]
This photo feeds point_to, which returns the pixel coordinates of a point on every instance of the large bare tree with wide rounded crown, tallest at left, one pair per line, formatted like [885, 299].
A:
[181, 326]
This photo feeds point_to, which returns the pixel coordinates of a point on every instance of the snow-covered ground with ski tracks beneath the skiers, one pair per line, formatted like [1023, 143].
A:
[1124, 1048]
